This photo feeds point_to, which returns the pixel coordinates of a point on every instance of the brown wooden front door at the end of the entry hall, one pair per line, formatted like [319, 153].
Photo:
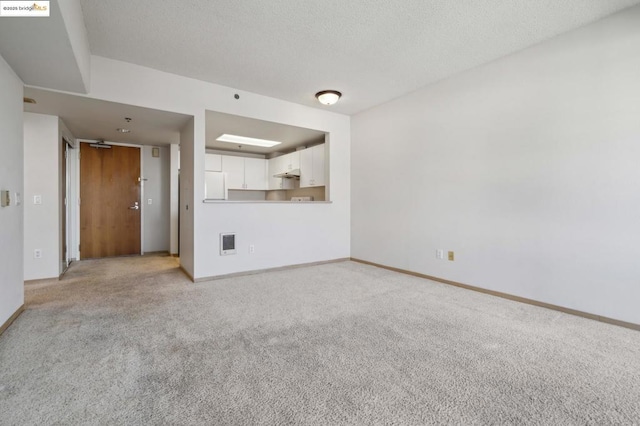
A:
[109, 201]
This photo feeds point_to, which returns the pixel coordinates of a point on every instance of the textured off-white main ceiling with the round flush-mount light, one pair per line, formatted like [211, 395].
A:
[371, 50]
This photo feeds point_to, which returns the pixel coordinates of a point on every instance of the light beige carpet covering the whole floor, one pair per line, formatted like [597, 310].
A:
[133, 341]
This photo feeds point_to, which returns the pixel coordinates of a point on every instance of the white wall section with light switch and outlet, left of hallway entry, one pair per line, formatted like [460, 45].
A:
[41, 222]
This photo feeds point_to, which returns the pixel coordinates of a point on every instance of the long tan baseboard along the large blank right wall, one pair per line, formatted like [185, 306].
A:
[508, 296]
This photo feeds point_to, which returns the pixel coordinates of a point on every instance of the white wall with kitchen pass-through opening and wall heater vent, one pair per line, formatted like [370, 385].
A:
[283, 234]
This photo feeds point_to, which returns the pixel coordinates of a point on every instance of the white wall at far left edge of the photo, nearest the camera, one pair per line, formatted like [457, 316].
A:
[11, 178]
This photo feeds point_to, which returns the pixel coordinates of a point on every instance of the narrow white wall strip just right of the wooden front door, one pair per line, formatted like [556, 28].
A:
[155, 218]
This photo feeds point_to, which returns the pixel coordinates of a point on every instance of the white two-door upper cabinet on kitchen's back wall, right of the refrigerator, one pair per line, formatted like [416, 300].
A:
[245, 173]
